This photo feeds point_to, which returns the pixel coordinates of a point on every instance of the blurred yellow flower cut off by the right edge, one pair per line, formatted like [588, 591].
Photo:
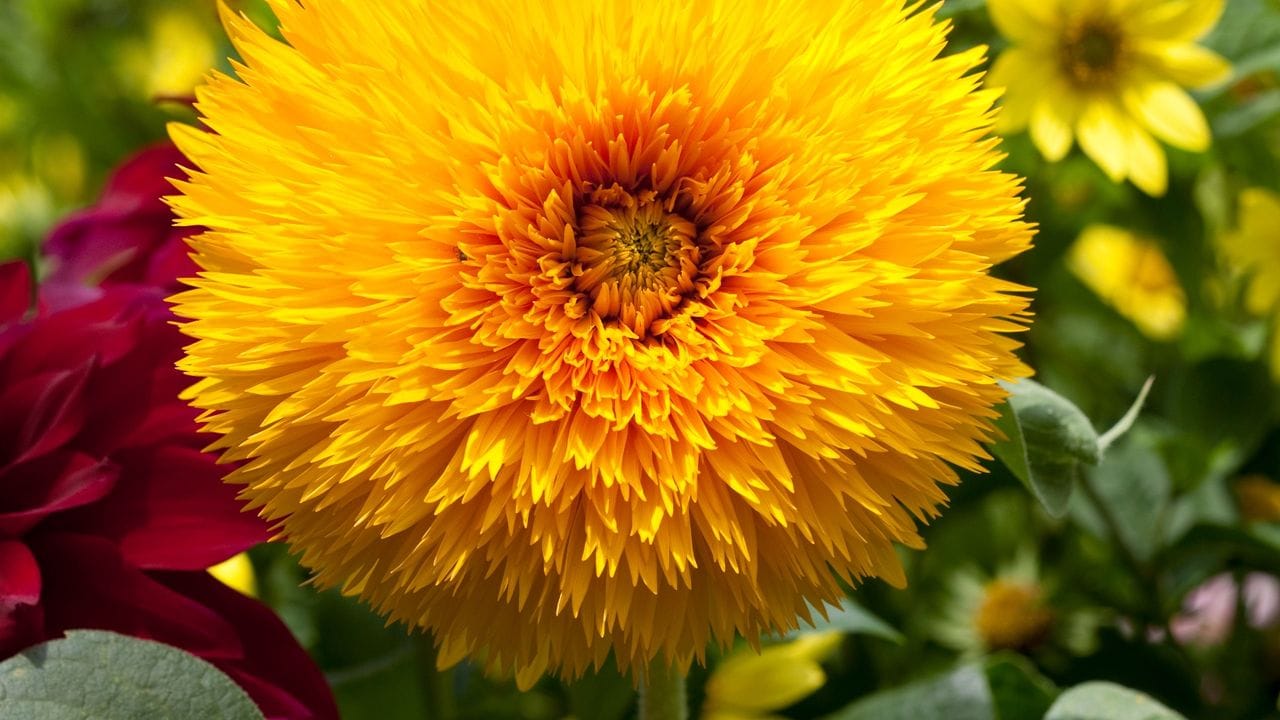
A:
[1254, 249]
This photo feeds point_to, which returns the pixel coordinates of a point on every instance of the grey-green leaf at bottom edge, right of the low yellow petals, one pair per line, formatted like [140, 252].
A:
[961, 695]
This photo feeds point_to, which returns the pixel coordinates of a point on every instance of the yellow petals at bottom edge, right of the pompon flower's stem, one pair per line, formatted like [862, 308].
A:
[751, 686]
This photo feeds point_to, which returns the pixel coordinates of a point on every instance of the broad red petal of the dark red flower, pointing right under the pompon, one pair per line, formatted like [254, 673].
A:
[172, 512]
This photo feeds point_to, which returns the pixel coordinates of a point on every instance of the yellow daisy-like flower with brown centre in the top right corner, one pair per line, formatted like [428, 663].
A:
[1109, 74]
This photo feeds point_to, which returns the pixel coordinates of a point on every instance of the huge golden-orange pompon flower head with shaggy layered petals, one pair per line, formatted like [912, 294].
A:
[572, 327]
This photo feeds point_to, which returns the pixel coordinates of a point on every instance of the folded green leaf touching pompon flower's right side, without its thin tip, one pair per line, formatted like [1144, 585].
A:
[1048, 440]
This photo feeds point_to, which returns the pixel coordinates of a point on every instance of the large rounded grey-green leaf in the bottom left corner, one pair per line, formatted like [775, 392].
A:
[99, 676]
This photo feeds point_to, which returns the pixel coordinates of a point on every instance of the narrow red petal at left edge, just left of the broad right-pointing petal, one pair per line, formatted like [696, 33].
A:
[33, 491]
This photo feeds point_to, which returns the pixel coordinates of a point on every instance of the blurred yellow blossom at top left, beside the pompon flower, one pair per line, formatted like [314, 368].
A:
[175, 56]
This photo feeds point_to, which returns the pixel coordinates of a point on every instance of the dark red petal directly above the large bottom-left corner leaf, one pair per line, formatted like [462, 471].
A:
[89, 585]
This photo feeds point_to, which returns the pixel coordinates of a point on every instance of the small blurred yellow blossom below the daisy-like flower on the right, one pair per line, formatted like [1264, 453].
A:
[1133, 276]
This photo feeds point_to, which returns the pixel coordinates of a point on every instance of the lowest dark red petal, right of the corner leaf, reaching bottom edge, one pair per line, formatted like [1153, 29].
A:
[272, 655]
